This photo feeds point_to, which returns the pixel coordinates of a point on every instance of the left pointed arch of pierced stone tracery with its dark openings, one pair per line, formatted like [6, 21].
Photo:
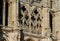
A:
[23, 15]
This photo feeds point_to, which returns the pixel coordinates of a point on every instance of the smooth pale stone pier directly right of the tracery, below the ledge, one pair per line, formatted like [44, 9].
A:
[45, 25]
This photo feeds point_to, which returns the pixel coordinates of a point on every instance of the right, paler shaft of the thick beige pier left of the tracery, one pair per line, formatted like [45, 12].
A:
[14, 12]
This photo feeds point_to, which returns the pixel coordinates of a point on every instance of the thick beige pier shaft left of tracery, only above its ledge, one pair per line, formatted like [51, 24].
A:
[12, 19]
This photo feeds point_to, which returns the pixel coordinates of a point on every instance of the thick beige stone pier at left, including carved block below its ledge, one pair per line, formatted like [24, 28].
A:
[12, 30]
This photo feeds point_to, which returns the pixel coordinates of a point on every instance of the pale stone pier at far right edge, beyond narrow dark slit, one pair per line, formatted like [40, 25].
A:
[56, 21]
